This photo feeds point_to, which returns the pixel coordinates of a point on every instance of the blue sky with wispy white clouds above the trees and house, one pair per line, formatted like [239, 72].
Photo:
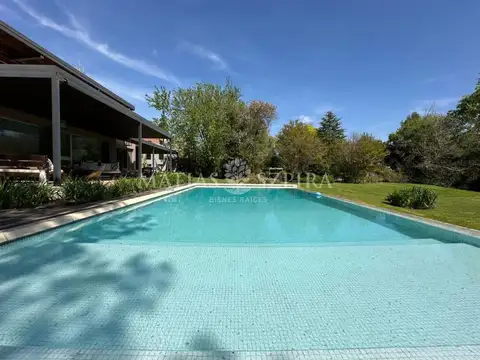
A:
[371, 61]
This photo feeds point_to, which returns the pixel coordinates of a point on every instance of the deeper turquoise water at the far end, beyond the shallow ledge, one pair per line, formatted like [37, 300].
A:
[258, 216]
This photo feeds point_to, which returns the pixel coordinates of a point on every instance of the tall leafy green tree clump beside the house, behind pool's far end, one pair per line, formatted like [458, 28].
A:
[211, 124]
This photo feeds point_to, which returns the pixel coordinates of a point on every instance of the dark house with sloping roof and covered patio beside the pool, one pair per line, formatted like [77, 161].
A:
[47, 107]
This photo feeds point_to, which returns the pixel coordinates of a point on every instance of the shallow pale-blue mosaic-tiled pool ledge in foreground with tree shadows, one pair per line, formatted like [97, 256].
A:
[247, 299]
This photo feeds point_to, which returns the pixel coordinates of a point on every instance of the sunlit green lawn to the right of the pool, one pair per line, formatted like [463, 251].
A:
[459, 207]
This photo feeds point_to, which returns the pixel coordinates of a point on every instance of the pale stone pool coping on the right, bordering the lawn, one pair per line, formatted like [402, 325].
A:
[472, 233]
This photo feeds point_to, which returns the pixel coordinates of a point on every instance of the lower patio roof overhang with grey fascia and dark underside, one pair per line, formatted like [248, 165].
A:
[27, 88]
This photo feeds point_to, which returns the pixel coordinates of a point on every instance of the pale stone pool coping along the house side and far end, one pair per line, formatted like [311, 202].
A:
[15, 233]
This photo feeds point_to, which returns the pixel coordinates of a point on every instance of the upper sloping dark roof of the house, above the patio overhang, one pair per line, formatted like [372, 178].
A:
[16, 48]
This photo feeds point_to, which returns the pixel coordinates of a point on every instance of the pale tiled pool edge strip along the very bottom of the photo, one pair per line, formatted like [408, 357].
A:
[447, 352]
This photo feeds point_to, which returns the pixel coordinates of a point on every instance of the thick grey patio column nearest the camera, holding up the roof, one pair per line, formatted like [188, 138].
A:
[56, 139]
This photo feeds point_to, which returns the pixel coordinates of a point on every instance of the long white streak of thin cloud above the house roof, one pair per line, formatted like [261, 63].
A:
[77, 32]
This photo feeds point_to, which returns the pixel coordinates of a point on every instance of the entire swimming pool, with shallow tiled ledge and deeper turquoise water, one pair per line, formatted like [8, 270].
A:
[228, 270]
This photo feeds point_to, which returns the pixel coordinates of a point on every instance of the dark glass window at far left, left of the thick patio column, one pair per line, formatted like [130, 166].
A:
[18, 138]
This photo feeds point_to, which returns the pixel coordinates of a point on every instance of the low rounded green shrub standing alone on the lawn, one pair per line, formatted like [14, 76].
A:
[415, 197]
